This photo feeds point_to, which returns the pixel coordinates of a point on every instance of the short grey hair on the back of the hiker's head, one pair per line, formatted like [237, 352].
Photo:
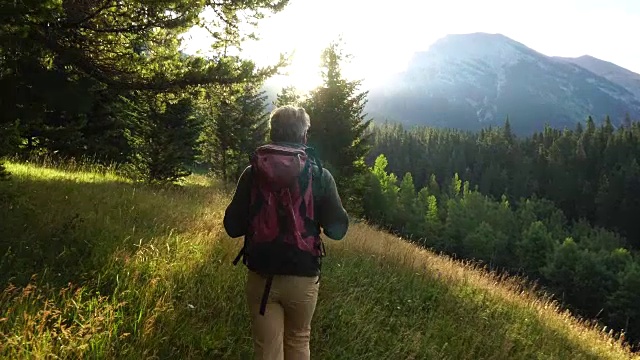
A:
[289, 124]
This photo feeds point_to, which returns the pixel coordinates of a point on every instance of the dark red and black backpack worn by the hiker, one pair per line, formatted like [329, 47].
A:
[282, 225]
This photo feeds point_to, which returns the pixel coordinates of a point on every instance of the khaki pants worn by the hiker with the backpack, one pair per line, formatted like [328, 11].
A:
[285, 329]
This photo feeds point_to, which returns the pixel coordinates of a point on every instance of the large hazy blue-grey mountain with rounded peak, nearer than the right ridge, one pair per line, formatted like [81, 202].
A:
[470, 81]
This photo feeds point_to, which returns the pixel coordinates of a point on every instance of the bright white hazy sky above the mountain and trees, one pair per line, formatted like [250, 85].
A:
[382, 35]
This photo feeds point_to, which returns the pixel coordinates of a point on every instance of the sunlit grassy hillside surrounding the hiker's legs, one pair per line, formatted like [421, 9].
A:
[94, 266]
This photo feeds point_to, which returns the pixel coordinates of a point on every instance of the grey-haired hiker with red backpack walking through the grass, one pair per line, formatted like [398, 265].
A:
[282, 204]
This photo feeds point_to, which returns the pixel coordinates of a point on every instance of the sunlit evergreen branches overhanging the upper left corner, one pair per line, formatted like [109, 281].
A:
[130, 44]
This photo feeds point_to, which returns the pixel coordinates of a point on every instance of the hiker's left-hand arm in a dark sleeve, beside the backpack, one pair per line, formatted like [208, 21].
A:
[236, 216]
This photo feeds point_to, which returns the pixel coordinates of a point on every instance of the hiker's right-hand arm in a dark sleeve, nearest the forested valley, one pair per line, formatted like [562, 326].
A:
[333, 217]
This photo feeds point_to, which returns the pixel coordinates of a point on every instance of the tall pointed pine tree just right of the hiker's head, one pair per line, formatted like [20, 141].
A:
[339, 126]
